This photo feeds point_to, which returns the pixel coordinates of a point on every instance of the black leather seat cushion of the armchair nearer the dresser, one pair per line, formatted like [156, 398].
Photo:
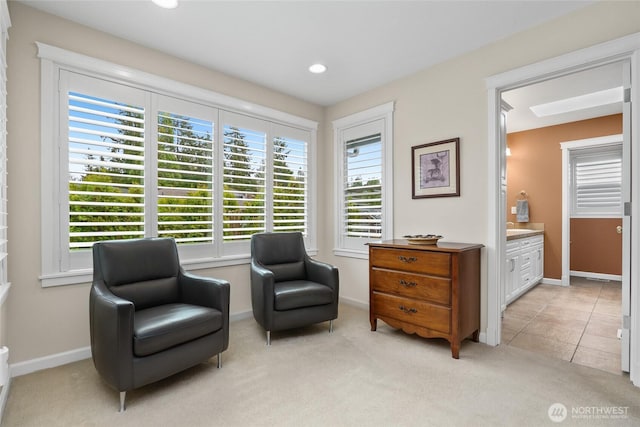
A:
[301, 293]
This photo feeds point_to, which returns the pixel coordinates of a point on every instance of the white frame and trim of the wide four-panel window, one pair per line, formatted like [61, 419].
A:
[54, 59]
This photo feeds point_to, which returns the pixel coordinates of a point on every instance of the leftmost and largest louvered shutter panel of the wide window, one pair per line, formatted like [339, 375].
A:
[106, 170]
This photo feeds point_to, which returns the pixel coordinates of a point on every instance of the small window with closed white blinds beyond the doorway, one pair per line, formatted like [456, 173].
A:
[596, 180]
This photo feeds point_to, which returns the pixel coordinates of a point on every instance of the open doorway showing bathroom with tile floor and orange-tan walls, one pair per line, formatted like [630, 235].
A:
[576, 320]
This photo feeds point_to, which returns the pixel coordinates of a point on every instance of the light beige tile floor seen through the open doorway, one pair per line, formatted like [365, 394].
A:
[578, 323]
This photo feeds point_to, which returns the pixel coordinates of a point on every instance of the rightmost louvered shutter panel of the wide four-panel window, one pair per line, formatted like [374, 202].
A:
[290, 184]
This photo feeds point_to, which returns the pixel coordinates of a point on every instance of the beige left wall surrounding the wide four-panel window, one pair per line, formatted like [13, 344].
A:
[47, 321]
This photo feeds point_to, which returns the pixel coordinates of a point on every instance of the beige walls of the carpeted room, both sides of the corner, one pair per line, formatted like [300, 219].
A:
[445, 101]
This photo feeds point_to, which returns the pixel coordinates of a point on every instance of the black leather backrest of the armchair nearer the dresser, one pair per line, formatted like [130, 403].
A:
[282, 253]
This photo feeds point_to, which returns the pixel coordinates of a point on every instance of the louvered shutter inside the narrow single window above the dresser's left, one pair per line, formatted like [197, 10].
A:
[363, 187]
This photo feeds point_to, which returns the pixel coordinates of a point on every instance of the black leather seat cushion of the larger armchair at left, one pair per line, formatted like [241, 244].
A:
[159, 328]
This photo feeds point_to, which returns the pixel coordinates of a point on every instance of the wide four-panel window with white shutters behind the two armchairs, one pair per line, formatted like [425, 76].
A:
[134, 163]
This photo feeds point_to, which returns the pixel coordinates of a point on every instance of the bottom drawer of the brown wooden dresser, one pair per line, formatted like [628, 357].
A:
[418, 313]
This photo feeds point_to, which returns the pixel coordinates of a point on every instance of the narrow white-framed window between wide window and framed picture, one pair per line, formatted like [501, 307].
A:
[363, 144]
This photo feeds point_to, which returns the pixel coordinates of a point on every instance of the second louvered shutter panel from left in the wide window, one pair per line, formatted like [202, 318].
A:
[185, 178]
